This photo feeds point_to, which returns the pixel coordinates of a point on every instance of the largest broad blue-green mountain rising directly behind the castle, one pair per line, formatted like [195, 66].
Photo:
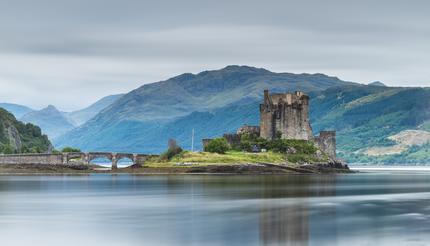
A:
[365, 116]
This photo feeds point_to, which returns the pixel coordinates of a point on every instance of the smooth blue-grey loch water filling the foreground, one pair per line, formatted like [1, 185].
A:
[375, 208]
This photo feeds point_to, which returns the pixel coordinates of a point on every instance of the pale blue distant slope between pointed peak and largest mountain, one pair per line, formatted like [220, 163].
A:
[83, 115]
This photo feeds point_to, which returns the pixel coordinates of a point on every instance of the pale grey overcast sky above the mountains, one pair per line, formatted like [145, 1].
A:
[72, 52]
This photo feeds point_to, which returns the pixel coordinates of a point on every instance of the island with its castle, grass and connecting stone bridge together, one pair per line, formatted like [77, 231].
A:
[282, 143]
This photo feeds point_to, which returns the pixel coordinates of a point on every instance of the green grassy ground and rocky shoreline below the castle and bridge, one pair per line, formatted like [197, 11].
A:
[231, 162]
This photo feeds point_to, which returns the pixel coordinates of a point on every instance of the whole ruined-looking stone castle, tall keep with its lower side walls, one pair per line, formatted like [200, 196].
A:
[286, 116]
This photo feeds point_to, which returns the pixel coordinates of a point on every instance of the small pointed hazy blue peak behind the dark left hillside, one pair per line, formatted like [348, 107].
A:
[52, 122]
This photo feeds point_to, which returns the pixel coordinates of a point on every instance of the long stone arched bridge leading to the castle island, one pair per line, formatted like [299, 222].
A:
[67, 158]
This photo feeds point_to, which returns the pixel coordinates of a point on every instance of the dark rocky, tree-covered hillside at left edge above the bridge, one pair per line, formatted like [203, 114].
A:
[16, 137]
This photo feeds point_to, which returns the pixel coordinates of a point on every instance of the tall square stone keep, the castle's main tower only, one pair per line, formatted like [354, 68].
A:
[285, 115]
